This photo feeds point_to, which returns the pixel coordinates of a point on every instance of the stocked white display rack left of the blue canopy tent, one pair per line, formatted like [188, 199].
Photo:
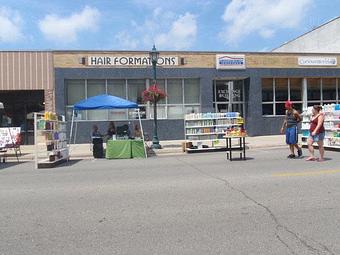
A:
[51, 147]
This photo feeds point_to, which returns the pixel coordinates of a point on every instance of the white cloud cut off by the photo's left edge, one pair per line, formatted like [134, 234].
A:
[10, 25]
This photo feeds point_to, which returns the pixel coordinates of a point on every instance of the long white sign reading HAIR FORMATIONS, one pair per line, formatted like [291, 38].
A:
[130, 61]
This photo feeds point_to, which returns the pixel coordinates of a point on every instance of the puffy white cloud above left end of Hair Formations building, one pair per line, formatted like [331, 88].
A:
[66, 29]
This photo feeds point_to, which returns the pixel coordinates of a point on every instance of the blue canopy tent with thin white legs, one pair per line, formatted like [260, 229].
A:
[104, 102]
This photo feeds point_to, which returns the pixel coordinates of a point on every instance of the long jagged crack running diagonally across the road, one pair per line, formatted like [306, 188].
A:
[278, 227]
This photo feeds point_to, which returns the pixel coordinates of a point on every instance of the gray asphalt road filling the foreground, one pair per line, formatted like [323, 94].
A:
[191, 204]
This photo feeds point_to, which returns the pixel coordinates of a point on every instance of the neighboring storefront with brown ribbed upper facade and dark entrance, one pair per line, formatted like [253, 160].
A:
[26, 86]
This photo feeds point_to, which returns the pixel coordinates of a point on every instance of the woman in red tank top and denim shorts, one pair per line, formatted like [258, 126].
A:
[316, 133]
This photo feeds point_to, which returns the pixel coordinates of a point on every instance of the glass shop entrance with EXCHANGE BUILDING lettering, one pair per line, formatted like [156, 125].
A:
[229, 96]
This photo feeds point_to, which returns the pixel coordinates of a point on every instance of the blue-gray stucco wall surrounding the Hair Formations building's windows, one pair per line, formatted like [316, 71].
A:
[174, 129]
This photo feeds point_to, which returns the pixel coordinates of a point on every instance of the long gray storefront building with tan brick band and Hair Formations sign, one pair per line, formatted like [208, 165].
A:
[255, 84]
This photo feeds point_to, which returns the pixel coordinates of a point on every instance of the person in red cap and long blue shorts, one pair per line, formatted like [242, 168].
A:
[290, 122]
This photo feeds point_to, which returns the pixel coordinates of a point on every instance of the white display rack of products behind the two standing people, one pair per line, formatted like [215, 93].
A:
[331, 124]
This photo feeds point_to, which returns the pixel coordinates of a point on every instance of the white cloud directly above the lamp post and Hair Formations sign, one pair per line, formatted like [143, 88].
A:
[164, 28]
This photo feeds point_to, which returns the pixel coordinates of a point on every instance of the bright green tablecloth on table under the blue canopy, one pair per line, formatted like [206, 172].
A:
[118, 149]
